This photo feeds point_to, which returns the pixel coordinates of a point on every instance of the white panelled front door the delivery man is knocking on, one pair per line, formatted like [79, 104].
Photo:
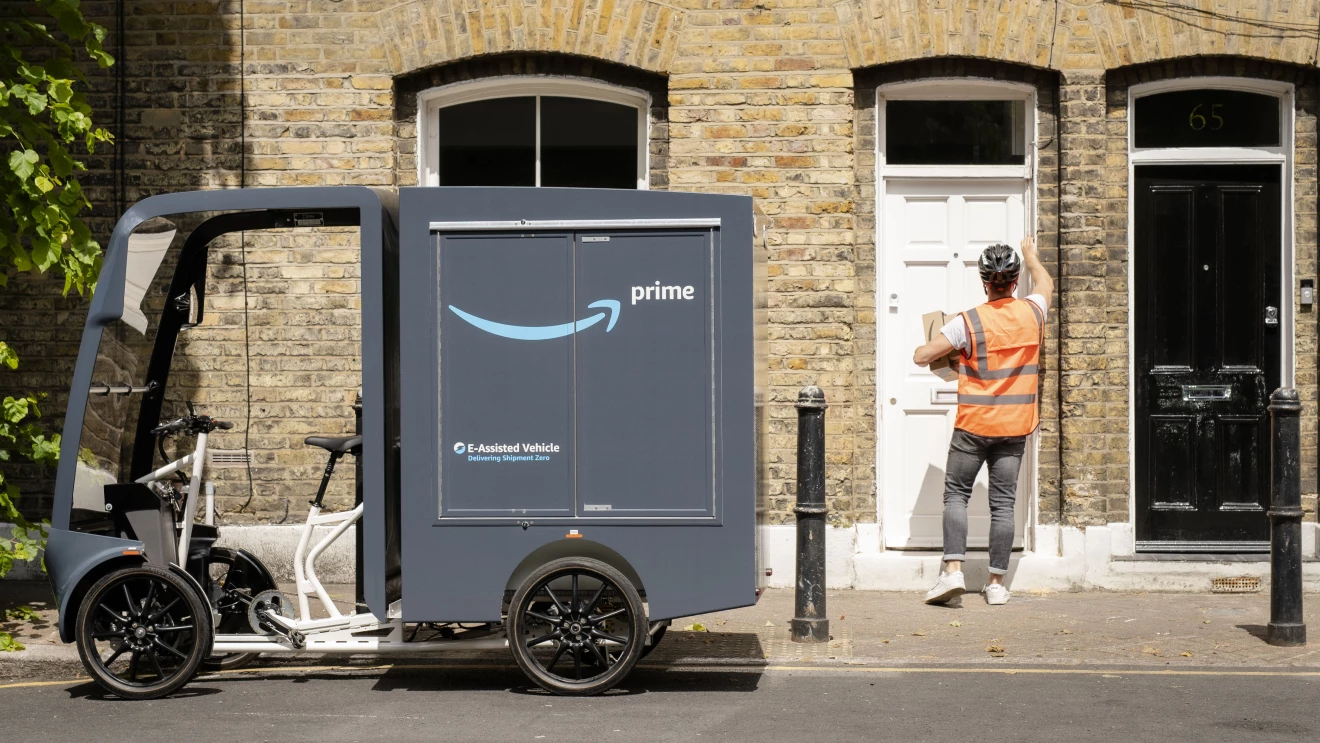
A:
[931, 236]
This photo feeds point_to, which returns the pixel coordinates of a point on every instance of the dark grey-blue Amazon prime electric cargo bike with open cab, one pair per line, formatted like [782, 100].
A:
[558, 451]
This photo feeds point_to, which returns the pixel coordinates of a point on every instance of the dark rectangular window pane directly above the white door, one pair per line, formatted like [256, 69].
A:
[955, 133]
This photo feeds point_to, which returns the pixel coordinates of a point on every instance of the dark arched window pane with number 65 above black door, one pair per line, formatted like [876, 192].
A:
[1208, 118]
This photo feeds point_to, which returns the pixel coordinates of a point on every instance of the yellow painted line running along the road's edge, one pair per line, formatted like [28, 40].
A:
[741, 668]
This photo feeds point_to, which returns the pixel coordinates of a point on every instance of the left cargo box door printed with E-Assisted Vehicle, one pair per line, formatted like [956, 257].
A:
[506, 375]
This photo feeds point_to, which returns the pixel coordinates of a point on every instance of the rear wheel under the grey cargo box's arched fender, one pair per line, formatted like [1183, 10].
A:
[576, 626]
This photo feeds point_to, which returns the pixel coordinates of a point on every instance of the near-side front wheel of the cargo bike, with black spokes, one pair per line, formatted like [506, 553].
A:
[150, 617]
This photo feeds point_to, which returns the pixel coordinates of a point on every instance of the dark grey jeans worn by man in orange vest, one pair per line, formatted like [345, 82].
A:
[968, 452]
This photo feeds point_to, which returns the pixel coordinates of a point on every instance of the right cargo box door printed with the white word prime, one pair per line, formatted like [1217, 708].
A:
[645, 389]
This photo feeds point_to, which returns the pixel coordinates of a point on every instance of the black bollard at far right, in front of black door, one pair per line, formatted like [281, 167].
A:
[1286, 626]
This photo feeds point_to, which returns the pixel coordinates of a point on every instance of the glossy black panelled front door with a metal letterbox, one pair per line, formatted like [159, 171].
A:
[1208, 324]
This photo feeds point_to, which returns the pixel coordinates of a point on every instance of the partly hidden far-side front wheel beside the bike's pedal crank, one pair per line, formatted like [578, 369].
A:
[224, 575]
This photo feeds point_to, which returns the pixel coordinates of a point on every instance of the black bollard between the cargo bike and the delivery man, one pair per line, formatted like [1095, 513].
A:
[811, 624]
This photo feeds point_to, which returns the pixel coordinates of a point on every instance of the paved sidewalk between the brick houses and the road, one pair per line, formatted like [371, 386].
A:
[897, 629]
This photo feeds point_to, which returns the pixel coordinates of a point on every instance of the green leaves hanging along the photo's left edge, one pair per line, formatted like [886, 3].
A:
[44, 121]
